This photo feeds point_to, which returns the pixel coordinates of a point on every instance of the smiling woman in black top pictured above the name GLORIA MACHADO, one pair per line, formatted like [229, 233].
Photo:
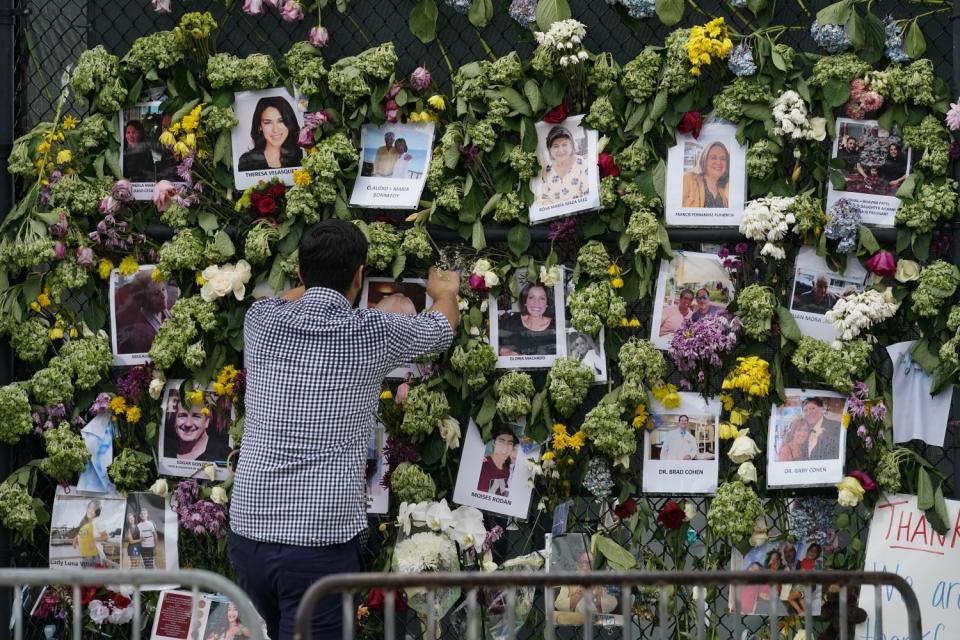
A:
[532, 330]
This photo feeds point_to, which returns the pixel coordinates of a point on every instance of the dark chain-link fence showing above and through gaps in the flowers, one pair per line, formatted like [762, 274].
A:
[50, 37]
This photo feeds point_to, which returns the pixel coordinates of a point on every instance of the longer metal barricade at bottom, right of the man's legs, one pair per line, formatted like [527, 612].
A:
[471, 582]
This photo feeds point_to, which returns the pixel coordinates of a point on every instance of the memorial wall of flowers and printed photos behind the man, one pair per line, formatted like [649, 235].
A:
[598, 359]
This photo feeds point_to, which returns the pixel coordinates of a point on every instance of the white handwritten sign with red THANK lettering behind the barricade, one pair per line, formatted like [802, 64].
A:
[902, 541]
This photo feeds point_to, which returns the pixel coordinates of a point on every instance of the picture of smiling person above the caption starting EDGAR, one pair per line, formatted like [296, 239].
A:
[196, 432]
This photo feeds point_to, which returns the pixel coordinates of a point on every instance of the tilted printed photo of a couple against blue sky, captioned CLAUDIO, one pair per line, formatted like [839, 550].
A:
[394, 159]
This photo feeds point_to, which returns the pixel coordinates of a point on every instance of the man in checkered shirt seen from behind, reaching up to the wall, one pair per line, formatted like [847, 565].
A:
[315, 366]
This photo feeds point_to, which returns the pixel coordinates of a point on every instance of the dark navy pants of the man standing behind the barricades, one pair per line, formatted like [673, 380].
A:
[276, 576]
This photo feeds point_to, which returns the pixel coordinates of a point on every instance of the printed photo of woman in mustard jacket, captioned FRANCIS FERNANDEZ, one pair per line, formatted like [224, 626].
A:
[706, 178]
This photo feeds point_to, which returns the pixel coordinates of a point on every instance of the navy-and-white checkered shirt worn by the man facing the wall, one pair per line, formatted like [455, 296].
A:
[314, 371]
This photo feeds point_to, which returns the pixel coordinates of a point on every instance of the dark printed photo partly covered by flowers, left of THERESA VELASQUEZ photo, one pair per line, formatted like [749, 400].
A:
[144, 161]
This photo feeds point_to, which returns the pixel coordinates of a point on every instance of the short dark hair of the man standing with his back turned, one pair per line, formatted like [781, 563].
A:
[330, 252]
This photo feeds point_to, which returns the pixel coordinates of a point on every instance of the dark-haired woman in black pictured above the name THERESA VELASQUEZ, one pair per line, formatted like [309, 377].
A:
[273, 131]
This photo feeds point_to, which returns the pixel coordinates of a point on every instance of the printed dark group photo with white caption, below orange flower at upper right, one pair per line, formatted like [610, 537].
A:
[875, 164]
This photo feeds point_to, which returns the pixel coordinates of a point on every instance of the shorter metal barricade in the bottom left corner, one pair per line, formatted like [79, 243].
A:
[136, 578]
